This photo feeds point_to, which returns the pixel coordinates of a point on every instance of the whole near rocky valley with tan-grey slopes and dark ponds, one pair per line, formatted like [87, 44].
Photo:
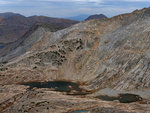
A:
[95, 66]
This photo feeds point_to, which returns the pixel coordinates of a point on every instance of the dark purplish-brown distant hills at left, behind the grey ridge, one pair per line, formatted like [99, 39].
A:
[13, 26]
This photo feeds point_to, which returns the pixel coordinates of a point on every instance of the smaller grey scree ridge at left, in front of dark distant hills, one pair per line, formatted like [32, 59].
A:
[37, 29]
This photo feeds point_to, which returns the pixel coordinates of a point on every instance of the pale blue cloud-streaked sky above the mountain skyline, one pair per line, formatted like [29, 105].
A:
[69, 8]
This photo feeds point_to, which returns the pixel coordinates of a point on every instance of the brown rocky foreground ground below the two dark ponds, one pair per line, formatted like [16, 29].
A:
[16, 99]
